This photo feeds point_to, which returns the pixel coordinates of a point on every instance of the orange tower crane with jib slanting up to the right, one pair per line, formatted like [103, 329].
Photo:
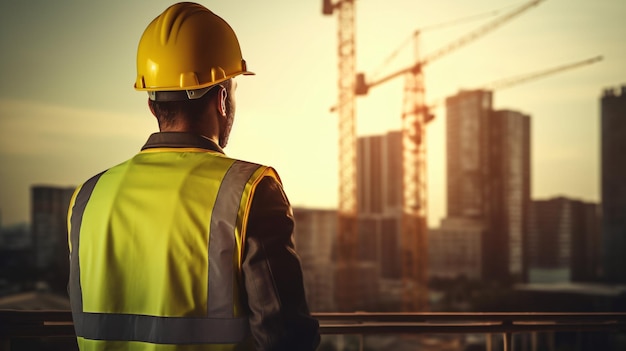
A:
[415, 116]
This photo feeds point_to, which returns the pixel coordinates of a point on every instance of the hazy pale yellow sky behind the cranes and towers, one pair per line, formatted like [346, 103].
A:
[68, 108]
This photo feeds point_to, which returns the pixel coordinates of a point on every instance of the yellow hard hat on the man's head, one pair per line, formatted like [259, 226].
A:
[187, 47]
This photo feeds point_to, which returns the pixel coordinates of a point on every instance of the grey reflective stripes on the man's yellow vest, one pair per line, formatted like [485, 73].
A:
[220, 325]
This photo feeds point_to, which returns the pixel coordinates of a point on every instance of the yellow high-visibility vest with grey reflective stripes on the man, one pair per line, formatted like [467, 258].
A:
[156, 248]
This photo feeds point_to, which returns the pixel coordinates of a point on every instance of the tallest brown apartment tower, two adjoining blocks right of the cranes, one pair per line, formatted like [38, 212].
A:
[488, 163]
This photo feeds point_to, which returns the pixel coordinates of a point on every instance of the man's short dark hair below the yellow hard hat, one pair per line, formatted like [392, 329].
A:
[167, 112]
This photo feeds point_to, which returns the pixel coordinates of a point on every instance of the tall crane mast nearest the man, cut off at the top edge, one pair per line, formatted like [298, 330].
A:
[345, 277]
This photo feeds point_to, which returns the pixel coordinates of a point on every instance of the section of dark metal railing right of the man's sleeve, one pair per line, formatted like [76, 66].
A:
[506, 324]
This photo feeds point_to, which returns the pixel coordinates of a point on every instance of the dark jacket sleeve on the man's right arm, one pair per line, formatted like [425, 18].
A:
[272, 275]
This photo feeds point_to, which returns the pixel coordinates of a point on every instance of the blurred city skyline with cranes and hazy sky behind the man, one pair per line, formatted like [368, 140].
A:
[482, 166]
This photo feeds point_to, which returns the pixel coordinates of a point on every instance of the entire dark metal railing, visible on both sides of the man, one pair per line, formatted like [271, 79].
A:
[56, 327]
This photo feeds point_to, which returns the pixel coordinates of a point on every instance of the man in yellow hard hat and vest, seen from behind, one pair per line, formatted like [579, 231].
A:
[182, 247]
